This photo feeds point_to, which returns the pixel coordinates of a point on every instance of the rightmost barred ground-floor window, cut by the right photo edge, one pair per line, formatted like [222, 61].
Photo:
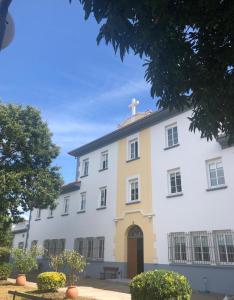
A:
[225, 246]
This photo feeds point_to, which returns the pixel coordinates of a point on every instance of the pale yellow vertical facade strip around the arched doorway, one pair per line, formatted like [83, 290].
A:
[141, 214]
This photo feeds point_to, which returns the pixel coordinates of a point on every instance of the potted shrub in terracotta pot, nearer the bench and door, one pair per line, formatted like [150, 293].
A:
[75, 263]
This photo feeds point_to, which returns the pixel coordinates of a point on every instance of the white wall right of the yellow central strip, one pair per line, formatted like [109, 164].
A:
[197, 209]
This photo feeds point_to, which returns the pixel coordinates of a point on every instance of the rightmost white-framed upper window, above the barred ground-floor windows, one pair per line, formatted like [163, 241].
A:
[215, 173]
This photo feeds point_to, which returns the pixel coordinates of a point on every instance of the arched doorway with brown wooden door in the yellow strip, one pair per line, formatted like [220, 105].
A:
[135, 251]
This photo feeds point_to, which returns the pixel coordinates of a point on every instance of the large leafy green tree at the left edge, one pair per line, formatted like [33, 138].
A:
[27, 178]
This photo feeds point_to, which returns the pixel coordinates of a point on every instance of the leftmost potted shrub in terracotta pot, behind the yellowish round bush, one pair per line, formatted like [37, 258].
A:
[24, 260]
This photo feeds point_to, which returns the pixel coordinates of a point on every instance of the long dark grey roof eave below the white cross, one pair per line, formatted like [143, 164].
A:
[145, 122]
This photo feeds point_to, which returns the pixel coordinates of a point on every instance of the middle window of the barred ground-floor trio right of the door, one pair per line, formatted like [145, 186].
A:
[200, 246]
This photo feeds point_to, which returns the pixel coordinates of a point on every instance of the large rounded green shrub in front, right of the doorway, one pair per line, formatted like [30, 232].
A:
[160, 285]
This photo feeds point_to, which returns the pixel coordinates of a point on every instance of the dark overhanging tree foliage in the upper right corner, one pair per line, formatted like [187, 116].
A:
[188, 48]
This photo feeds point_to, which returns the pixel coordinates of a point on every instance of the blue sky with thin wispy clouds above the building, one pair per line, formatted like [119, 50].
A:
[82, 90]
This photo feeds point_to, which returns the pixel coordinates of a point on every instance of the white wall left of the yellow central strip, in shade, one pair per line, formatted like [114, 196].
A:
[92, 223]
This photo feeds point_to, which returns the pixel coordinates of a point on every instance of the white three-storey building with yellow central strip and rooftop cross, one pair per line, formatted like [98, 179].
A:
[149, 195]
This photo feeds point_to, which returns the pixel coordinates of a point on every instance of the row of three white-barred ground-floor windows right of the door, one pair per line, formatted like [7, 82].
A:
[215, 247]
